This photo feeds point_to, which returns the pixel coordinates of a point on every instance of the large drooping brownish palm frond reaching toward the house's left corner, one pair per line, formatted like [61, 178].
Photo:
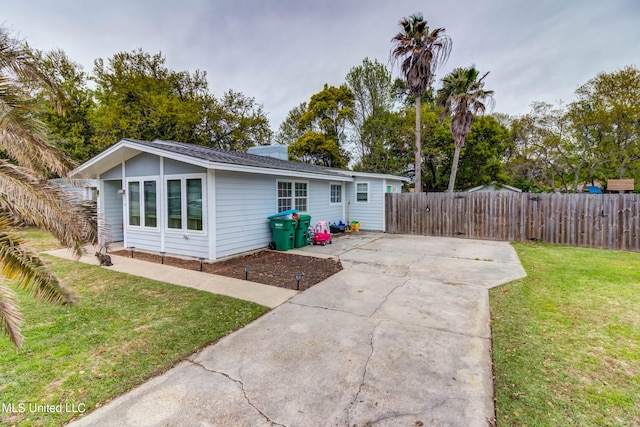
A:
[35, 201]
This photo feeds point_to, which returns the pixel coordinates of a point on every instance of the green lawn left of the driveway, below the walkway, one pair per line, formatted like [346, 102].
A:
[123, 330]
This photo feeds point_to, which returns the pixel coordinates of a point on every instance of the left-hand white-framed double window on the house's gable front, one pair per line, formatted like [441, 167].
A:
[143, 206]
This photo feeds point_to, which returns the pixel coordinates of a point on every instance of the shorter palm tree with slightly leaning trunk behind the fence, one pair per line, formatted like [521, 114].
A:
[462, 95]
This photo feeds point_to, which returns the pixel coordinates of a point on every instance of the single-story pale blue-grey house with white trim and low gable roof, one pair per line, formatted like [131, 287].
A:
[186, 199]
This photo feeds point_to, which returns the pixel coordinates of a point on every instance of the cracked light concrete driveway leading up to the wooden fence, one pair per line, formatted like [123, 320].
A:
[401, 336]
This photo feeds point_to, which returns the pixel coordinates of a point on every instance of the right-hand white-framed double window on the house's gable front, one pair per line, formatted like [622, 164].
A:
[185, 204]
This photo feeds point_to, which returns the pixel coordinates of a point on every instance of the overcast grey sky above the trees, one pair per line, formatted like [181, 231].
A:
[282, 52]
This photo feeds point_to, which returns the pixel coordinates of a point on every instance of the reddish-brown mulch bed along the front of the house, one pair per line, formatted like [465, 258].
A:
[267, 267]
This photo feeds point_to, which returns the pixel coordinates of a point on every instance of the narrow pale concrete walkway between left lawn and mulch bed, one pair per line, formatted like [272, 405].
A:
[270, 296]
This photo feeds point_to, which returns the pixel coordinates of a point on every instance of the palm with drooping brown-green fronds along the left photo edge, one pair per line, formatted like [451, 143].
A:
[26, 196]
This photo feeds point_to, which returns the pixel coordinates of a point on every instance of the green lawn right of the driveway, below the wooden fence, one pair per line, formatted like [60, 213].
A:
[567, 339]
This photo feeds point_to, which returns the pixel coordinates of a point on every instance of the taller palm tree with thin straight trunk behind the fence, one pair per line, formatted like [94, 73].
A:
[420, 53]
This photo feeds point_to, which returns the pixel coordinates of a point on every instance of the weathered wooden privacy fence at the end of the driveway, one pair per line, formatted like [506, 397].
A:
[609, 221]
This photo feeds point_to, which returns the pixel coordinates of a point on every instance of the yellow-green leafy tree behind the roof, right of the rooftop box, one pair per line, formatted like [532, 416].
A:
[323, 126]
